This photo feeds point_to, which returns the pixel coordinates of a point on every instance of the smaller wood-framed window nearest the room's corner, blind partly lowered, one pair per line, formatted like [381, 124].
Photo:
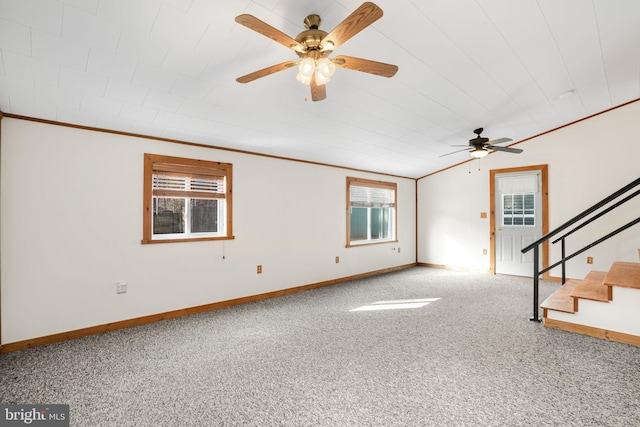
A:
[371, 207]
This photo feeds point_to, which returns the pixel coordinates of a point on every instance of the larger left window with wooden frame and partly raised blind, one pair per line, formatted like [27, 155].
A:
[186, 199]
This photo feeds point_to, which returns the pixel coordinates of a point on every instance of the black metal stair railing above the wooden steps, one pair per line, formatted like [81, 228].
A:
[591, 214]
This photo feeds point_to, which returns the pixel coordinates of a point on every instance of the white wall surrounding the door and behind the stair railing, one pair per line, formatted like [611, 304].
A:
[587, 161]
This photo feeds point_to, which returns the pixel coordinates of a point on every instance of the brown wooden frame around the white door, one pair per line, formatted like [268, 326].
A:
[543, 169]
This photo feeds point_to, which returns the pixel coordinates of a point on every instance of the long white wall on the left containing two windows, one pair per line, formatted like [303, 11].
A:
[71, 226]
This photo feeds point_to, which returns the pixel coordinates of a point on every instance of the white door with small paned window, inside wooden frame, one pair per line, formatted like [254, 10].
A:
[518, 217]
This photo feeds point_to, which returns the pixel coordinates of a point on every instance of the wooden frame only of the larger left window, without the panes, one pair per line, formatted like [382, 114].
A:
[157, 162]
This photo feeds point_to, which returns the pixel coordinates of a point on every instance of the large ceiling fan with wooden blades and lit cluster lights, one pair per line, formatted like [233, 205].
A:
[314, 46]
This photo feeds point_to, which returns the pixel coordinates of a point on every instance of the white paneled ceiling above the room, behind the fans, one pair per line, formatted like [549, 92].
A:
[167, 68]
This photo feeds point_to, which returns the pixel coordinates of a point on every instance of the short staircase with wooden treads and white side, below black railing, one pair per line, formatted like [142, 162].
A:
[605, 304]
